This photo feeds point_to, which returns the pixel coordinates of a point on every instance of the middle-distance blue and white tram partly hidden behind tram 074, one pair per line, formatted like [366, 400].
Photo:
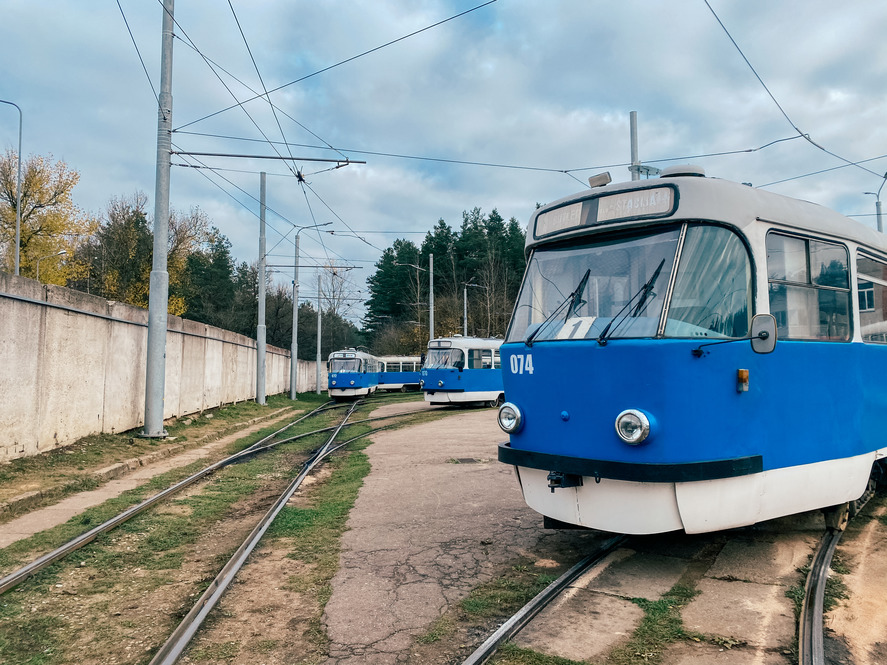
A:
[462, 370]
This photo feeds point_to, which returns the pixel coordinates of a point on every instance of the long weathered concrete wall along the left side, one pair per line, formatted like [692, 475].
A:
[72, 364]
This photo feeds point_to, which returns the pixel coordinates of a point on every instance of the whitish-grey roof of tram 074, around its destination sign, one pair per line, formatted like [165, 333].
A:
[701, 197]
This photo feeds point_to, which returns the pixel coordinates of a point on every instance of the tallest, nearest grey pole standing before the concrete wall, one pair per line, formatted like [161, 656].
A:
[158, 296]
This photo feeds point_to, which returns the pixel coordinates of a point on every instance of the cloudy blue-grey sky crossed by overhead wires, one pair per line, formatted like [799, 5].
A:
[486, 110]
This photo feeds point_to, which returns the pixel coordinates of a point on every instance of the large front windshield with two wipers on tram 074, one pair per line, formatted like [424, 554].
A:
[615, 288]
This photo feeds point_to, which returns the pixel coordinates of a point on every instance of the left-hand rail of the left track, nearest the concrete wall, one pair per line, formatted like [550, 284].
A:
[17, 577]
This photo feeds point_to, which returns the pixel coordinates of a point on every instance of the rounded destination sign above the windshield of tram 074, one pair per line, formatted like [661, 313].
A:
[620, 206]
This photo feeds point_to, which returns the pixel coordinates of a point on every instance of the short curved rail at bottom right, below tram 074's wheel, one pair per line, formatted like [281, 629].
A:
[810, 640]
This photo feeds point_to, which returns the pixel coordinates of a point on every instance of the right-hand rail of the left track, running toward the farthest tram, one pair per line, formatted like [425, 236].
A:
[178, 641]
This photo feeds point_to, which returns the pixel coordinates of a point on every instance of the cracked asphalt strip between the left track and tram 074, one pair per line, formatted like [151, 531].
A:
[437, 516]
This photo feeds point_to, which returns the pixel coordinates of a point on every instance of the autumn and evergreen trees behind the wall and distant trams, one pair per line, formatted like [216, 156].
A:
[110, 255]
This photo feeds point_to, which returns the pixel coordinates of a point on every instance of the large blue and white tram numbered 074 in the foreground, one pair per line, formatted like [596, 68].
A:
[636, 403]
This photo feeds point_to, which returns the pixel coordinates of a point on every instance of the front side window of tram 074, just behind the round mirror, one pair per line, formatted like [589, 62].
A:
[809, 288]
